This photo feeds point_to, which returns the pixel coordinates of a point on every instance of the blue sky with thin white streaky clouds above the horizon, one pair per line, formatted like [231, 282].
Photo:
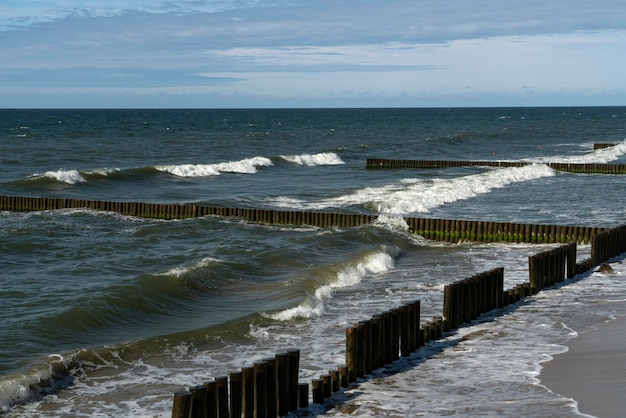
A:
[311, 53]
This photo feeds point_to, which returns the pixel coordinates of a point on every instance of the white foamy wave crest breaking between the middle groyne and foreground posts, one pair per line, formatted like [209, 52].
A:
[345, 275]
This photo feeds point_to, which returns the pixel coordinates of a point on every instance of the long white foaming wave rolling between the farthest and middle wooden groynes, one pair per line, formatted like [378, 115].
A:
[419, 196]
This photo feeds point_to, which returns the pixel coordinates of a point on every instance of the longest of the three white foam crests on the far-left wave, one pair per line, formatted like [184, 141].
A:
[245, 166]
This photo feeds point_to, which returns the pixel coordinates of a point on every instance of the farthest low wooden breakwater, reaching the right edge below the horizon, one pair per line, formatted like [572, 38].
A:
[592, 168]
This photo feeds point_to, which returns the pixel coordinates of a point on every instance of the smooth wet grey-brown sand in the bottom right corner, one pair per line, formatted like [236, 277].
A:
[593, 371]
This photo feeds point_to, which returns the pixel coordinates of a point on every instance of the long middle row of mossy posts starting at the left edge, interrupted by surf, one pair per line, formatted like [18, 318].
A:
[448, 230]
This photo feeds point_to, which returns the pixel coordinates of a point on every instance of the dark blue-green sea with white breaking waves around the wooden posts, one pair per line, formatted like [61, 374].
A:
[109, 315]
